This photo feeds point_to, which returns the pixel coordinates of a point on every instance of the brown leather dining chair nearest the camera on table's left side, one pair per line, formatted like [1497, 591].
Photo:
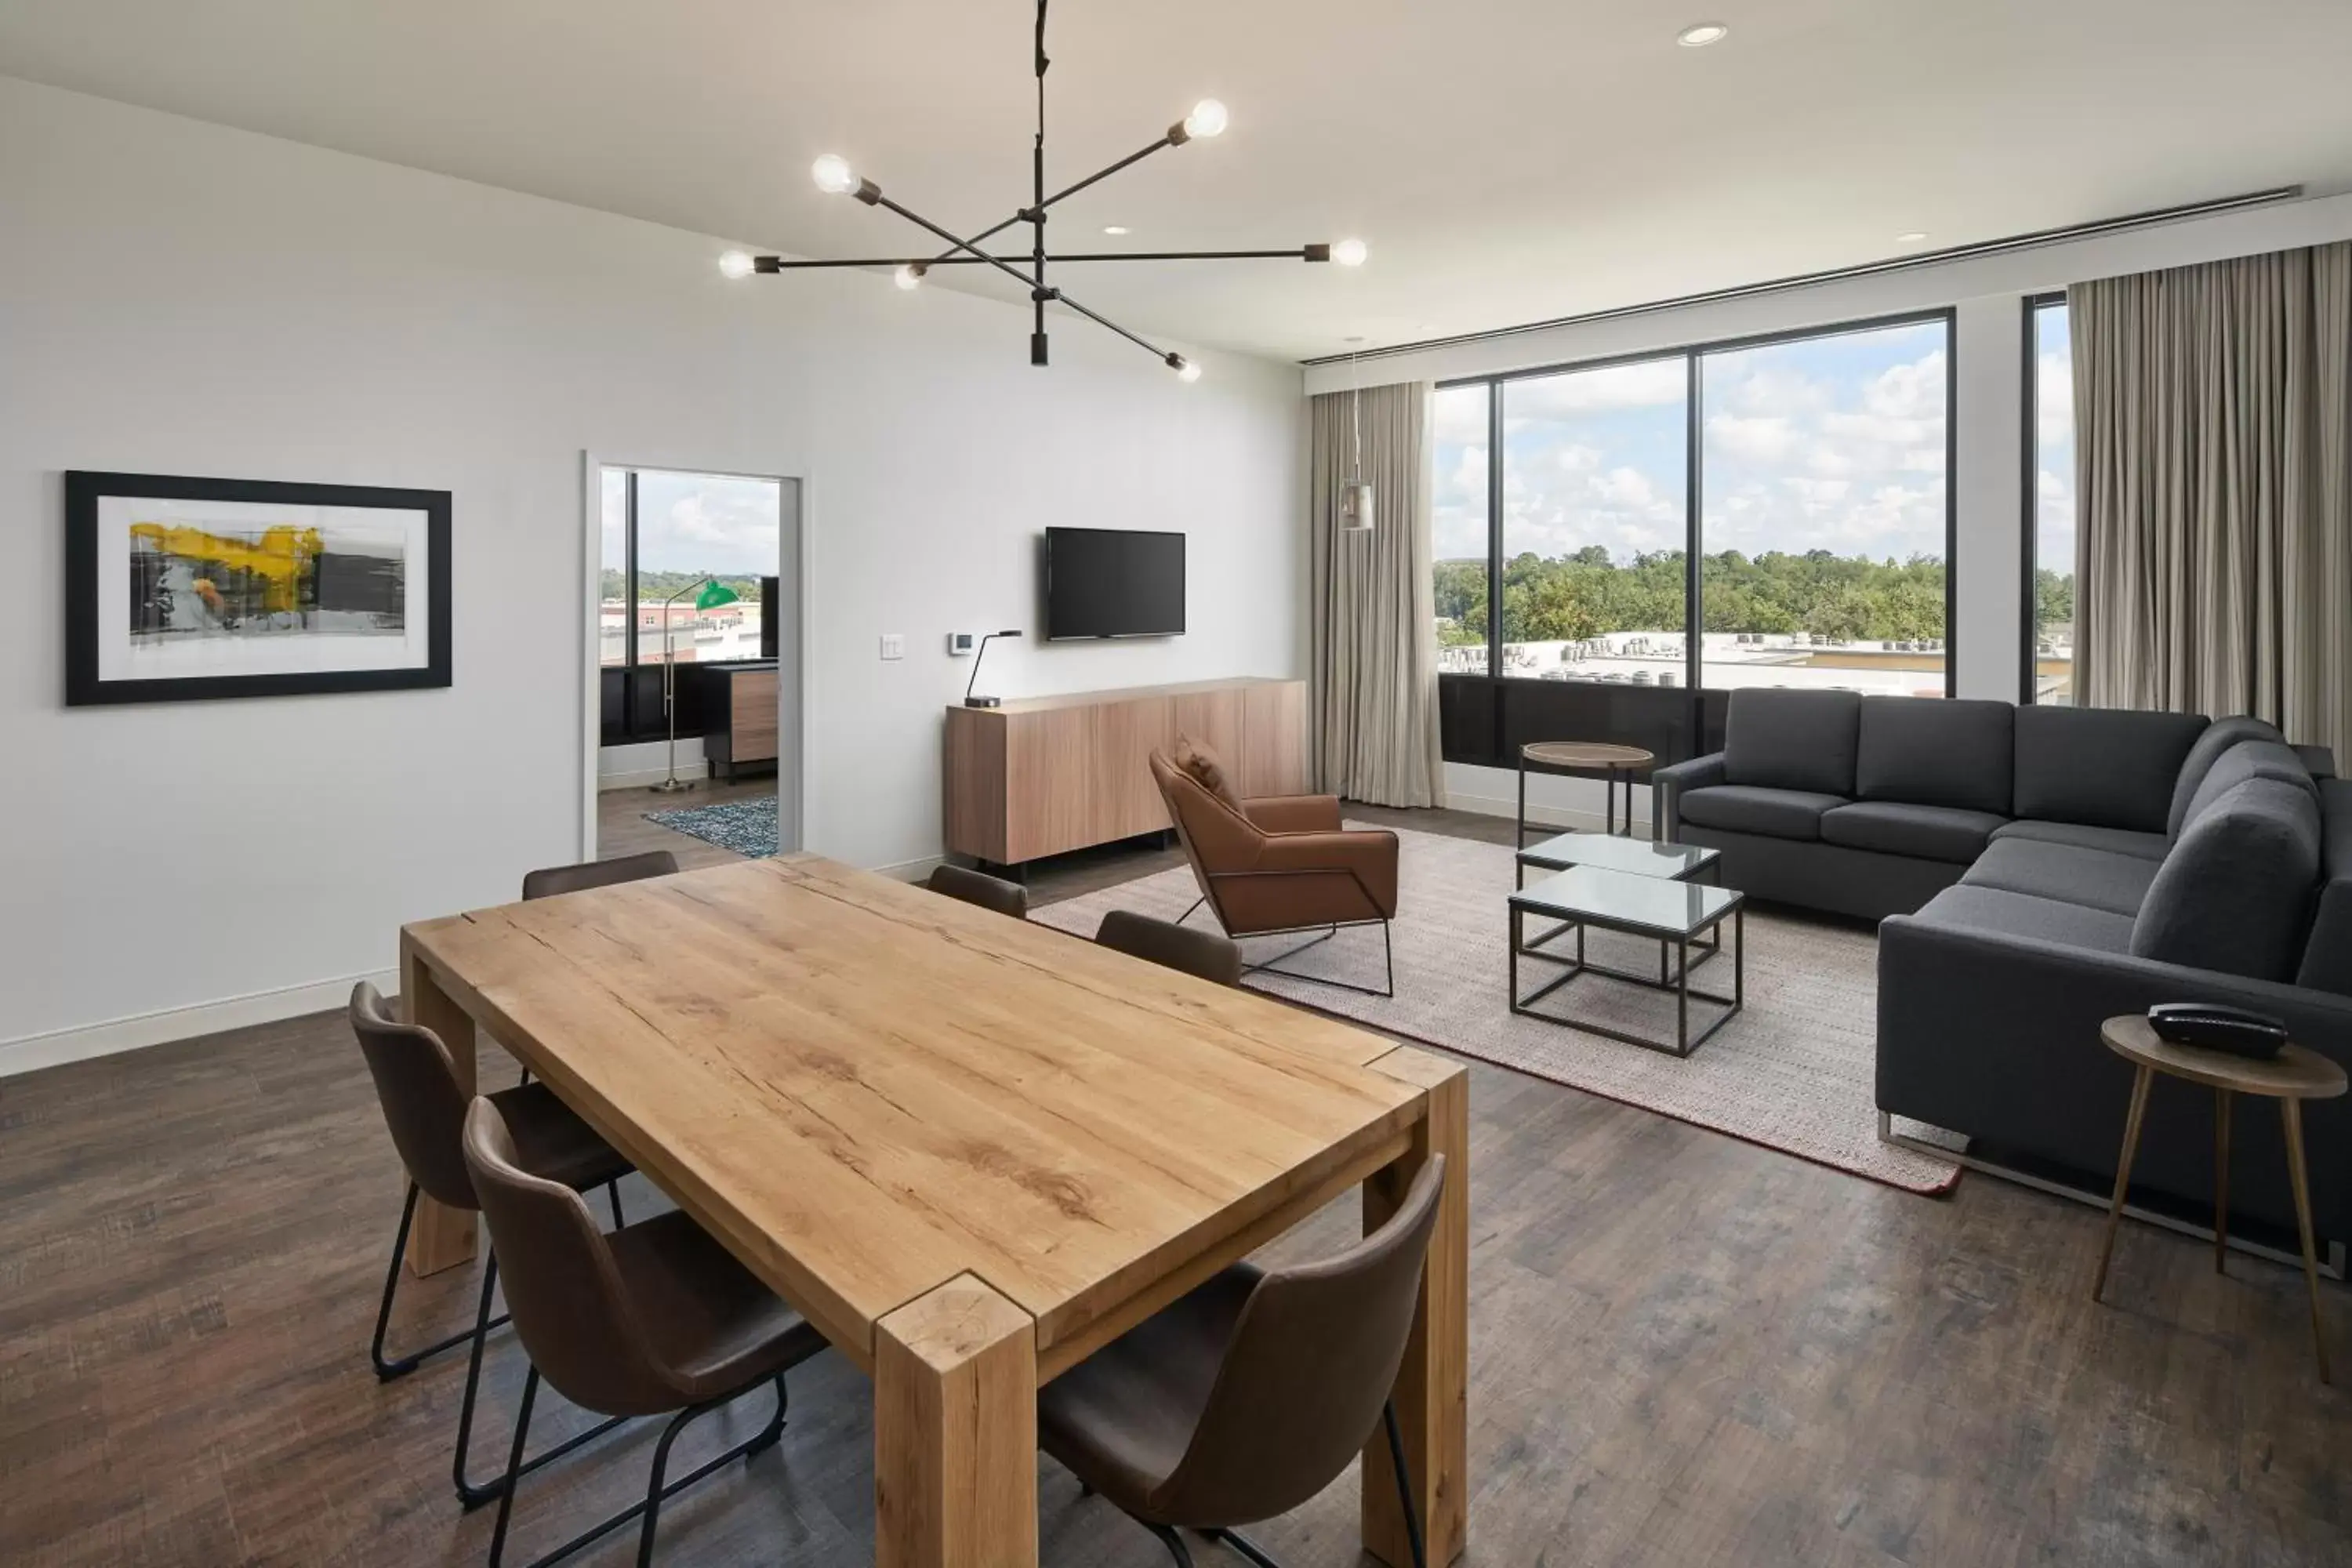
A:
[650, 1320]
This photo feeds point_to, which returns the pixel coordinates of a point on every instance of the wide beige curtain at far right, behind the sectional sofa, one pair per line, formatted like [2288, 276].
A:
[2214, 476]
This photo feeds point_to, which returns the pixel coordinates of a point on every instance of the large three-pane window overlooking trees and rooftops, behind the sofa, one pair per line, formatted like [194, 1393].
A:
[1817, 507]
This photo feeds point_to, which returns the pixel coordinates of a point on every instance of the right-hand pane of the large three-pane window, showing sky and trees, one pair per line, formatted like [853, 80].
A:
[1824, 514]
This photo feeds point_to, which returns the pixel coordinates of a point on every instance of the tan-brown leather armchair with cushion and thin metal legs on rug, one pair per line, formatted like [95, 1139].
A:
[1281, 866]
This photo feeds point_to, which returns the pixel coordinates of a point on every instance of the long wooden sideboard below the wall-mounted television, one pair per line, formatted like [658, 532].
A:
[1048, 775]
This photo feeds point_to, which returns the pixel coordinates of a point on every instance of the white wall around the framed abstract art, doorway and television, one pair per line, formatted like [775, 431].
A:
[203, 302]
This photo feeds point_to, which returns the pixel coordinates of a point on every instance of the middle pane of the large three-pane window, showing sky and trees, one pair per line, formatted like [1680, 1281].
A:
[1596, 514]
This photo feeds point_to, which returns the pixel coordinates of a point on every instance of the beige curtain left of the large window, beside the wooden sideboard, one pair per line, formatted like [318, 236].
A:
[1375, 683]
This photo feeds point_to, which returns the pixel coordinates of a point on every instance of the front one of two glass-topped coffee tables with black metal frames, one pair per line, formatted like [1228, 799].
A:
[1673, 913]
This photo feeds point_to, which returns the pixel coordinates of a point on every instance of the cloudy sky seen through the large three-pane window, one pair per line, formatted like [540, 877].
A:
[1829, 443]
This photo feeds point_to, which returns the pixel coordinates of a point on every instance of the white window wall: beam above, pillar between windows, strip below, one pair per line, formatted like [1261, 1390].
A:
[1989, 356]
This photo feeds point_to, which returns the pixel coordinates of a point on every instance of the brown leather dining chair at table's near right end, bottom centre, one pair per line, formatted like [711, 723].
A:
[1250, 1395]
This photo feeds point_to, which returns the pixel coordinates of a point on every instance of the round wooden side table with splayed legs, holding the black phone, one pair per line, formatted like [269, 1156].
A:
[2292, 1078]
